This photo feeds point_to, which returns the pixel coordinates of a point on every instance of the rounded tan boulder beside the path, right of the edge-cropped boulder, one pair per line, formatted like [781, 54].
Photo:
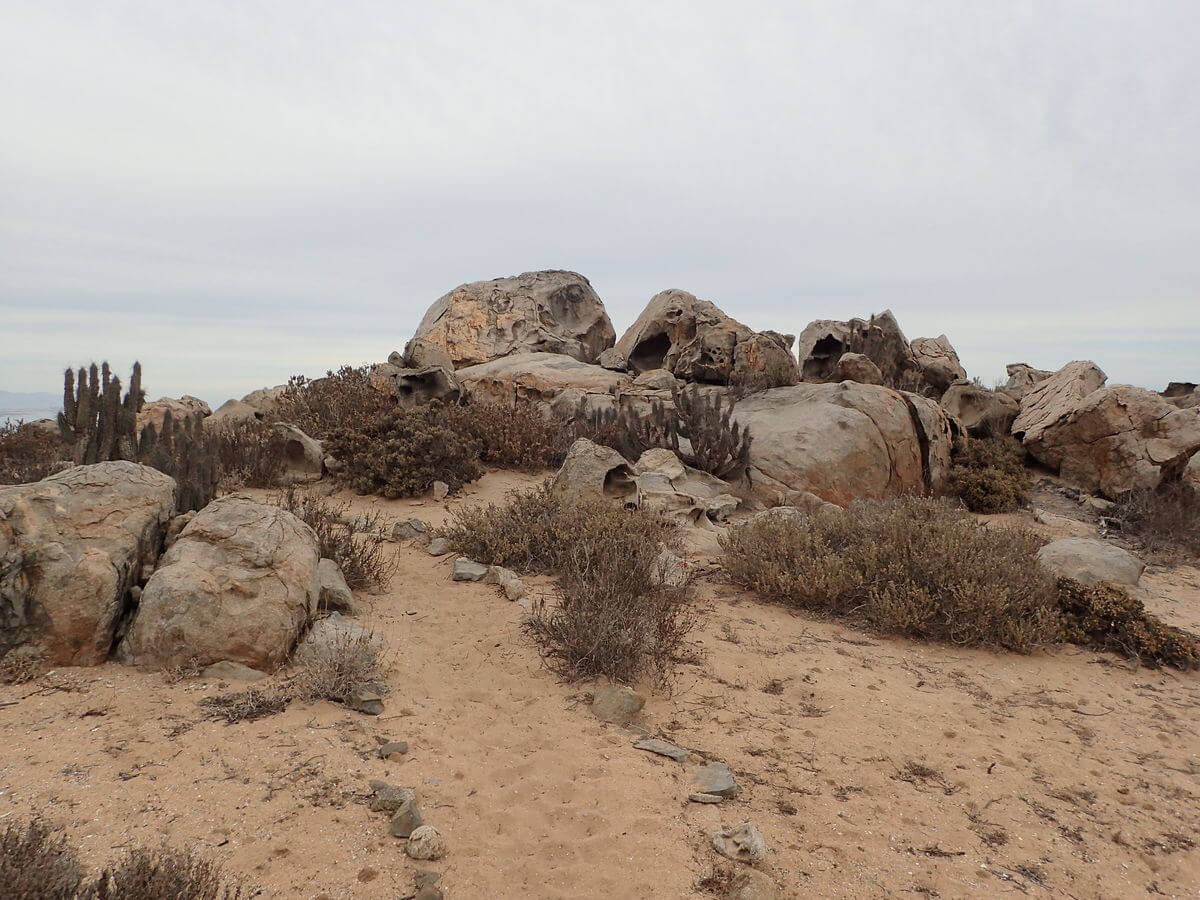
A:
[241, 584]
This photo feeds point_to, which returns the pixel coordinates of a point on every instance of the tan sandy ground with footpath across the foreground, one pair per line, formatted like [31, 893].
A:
[874, 767]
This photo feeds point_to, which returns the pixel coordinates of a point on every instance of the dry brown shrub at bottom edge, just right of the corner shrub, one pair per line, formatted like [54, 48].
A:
[166, 874]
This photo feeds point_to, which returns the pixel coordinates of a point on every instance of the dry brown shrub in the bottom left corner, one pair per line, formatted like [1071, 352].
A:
[38, 865]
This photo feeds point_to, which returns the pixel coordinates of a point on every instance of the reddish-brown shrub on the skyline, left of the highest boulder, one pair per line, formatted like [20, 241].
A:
[341, 400]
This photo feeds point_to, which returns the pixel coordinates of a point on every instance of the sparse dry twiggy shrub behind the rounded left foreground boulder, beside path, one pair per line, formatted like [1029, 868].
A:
[355, 543]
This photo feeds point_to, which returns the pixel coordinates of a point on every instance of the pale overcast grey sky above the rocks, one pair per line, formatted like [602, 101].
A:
[235, 193]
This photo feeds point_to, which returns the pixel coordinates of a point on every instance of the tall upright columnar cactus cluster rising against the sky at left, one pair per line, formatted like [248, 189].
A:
[97, 421]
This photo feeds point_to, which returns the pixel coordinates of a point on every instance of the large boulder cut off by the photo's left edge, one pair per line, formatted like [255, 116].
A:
[73, 549]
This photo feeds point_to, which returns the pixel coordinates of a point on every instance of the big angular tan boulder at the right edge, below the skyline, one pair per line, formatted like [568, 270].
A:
[1117, 440]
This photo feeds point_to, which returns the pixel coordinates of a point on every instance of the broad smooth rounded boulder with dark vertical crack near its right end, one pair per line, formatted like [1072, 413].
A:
[844, 442]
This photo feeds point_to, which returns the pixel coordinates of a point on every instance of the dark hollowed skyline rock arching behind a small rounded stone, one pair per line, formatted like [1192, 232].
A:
[824, 343]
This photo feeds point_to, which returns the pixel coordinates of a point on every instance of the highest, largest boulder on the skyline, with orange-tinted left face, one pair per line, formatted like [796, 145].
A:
[536, 313]
